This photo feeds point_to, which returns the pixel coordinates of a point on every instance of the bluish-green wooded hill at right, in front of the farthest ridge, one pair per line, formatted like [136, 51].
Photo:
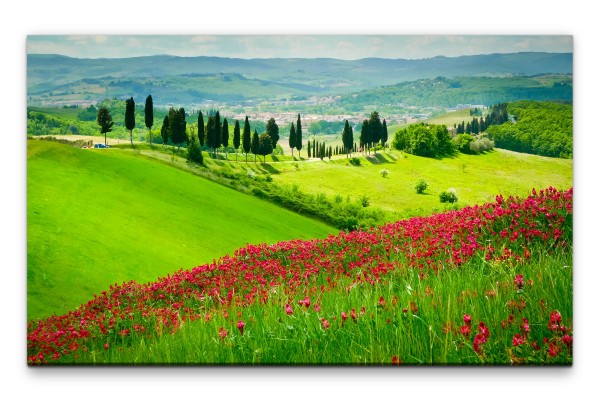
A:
[449, 92]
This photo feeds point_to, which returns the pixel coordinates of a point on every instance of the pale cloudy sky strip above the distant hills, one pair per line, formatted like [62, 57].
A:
[303, 46]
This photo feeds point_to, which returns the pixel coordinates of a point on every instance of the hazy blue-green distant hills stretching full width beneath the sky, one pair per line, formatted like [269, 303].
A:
[186, 80]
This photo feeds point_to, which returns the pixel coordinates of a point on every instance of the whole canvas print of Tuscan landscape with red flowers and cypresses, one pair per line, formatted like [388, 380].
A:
[300, 200]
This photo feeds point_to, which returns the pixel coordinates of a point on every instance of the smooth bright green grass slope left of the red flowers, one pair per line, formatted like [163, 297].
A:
[96, 217]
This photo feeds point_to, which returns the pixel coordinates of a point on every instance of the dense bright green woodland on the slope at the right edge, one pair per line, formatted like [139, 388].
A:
[541, 128]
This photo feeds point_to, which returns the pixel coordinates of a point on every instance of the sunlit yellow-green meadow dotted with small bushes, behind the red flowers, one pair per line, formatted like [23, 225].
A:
[476, 178]
